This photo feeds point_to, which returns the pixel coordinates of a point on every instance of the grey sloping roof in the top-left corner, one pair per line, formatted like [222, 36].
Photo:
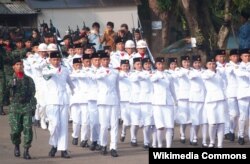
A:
[12, 7]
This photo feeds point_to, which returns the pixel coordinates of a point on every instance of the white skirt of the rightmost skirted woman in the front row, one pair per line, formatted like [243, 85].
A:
[216, 112]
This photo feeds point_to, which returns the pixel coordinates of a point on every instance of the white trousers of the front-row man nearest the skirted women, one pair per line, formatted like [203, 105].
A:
[108, 117]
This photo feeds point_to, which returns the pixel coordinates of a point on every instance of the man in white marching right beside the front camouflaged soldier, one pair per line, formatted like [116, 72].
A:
[57, 101]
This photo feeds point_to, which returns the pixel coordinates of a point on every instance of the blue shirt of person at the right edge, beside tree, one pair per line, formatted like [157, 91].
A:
[244, 36]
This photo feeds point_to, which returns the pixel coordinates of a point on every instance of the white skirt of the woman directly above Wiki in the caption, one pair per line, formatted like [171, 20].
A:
[163, 116]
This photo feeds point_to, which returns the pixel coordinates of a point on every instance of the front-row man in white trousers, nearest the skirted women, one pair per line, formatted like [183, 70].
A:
[108, 102]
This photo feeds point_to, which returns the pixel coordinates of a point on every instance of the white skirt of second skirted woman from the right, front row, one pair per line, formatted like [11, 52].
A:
[197, 113]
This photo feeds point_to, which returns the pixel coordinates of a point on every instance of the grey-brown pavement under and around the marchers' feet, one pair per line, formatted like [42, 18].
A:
[40, 148]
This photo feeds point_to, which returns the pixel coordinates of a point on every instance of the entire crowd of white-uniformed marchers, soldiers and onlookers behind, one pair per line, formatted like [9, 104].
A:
[101, 79]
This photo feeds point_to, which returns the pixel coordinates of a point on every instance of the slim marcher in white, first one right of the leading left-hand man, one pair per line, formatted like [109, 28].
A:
[79, 103]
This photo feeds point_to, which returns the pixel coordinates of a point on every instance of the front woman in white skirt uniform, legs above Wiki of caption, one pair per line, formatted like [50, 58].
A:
[163, 100]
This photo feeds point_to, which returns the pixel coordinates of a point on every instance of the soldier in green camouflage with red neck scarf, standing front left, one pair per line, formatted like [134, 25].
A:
[22, 106]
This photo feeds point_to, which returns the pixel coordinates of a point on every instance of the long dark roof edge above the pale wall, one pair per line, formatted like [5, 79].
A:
[57, 4]
